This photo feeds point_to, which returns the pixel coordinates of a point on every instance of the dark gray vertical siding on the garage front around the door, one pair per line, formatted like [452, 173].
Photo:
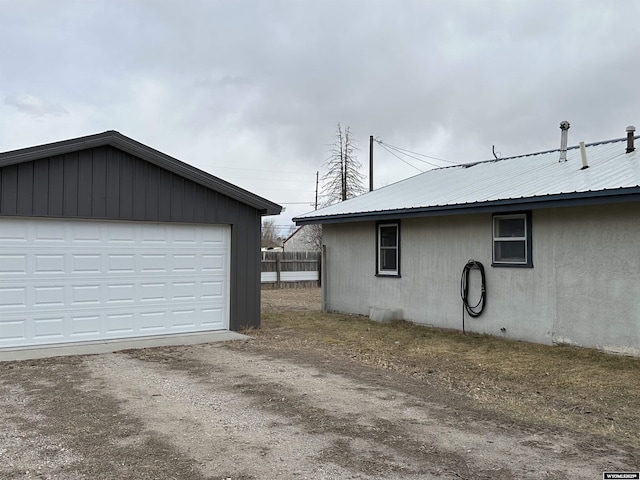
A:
[107, 183]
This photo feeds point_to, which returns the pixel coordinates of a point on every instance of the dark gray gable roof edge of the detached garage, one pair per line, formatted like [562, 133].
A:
[126, 144]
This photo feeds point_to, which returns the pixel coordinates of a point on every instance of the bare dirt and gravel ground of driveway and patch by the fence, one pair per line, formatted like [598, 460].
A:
[250, 410]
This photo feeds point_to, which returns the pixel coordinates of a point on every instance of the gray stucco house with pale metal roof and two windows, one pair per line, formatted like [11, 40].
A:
[559, 244]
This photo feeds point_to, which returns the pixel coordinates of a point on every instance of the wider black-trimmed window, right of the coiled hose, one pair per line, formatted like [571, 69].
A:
[512, 240]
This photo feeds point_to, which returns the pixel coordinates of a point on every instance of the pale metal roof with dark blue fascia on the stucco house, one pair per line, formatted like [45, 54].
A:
[537, 180]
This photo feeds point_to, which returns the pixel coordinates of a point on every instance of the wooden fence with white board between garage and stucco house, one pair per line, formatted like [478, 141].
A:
[290, 269]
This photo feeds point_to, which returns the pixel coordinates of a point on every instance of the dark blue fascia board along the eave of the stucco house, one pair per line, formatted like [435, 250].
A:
[552, 201]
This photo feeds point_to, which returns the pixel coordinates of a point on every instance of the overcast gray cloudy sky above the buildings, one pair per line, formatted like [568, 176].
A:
[252, 91]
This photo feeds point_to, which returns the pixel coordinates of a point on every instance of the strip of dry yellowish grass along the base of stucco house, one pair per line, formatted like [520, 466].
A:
[562, 387]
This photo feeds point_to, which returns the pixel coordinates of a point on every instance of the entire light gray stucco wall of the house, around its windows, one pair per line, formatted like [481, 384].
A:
[582, 289]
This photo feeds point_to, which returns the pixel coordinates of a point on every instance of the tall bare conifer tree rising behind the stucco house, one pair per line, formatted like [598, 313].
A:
[343, 179]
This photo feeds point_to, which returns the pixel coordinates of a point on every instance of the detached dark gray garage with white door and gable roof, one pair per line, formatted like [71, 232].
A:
[103, 238]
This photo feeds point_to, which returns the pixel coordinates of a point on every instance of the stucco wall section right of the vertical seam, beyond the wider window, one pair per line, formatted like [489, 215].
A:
[597, 257]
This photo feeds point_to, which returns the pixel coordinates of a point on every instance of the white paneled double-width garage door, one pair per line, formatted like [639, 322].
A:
[80, 280]
